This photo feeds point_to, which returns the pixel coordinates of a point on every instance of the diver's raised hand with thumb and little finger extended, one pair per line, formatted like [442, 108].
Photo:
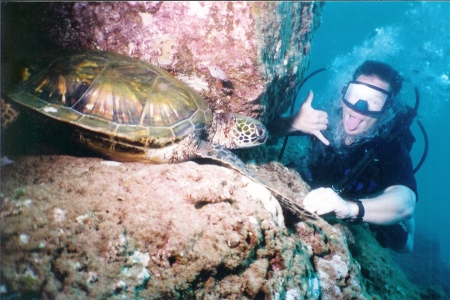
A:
[311, 121]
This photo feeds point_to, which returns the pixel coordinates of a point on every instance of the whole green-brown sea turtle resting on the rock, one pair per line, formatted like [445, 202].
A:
[130, 110]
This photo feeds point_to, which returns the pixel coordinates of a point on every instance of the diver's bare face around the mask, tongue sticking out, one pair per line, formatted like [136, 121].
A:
[356, 123]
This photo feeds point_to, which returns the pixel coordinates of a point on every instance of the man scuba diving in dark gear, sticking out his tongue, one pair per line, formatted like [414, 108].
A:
[382, 193]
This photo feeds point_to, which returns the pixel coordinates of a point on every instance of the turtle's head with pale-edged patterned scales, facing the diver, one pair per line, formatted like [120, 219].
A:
[236, 131]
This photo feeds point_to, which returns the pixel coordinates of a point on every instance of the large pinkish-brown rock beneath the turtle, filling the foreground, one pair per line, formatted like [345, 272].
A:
[85, 228]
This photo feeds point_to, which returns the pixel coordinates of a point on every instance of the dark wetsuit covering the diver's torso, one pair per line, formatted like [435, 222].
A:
[325, 167]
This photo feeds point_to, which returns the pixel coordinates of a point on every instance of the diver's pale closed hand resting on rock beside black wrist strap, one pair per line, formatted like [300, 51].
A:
[324, 200]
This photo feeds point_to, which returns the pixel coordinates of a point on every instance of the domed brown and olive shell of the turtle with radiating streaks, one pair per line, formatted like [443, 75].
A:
[115, 100]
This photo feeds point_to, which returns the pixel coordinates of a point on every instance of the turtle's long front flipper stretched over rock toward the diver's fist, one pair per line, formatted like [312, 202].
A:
[229, 159]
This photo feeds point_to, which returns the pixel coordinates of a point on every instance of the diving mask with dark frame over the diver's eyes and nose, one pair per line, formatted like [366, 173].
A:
[365, 98]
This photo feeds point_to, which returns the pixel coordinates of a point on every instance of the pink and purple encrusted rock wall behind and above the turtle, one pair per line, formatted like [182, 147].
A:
[244, 57]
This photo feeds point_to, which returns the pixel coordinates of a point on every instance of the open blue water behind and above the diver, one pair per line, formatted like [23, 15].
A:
[415, 39]
